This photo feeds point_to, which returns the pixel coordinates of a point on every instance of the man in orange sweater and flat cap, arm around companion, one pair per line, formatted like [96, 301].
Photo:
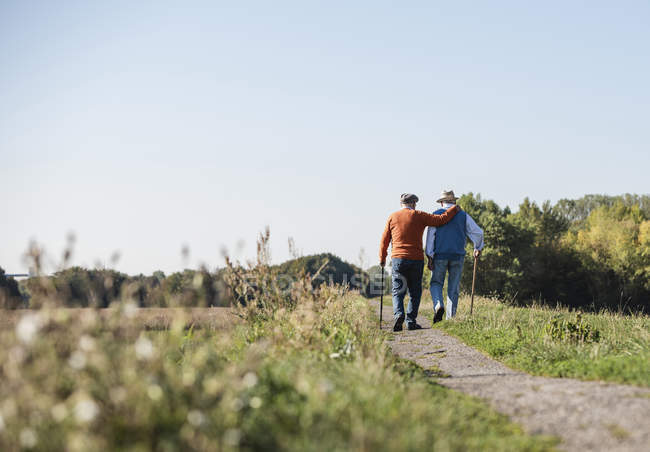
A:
[404, 229]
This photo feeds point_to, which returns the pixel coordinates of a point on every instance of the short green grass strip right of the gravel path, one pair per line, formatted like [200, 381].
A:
[555, 342]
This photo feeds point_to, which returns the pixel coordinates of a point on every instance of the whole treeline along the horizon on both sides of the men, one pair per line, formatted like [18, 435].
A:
[593, 252]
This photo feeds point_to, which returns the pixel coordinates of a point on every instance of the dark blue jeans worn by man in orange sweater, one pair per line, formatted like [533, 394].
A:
[407, 274]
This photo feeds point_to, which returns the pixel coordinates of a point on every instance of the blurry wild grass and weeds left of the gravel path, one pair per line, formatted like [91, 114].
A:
[315, 376]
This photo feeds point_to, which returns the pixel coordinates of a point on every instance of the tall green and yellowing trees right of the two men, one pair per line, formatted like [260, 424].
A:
[590, 252]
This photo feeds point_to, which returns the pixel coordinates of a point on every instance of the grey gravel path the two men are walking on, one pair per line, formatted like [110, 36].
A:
[587, 416]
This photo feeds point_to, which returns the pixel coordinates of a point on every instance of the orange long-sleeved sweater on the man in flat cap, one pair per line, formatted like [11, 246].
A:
[405, 228]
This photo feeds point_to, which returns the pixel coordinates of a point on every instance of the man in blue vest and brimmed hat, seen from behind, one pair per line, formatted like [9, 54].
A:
[445, 252]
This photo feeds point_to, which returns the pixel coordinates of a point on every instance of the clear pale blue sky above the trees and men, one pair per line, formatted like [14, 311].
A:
[144, 126]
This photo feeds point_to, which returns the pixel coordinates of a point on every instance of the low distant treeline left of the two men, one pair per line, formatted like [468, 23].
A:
[81, 287]
